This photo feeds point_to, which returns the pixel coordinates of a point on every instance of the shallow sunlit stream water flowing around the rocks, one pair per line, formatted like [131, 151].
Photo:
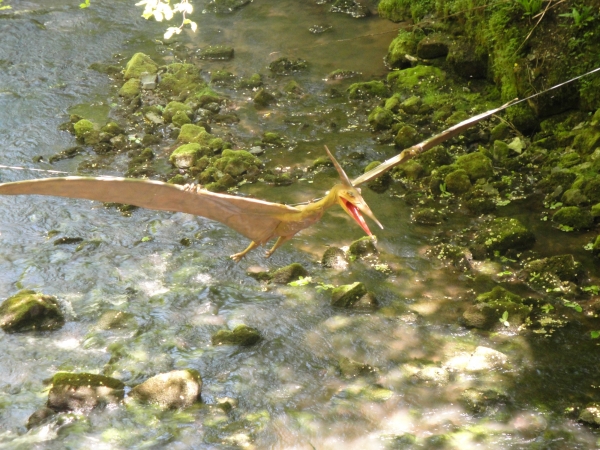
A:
[289, 391]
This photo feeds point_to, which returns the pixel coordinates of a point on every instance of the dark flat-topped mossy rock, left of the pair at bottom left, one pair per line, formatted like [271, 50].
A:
[83, 391]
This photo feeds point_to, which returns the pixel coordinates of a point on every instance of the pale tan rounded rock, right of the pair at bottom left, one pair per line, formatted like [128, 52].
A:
[171, 390]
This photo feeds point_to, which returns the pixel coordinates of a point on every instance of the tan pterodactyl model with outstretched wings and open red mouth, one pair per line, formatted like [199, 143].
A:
[258, 220]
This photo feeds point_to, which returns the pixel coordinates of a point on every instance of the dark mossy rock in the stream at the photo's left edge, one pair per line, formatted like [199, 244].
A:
[28, 311]
